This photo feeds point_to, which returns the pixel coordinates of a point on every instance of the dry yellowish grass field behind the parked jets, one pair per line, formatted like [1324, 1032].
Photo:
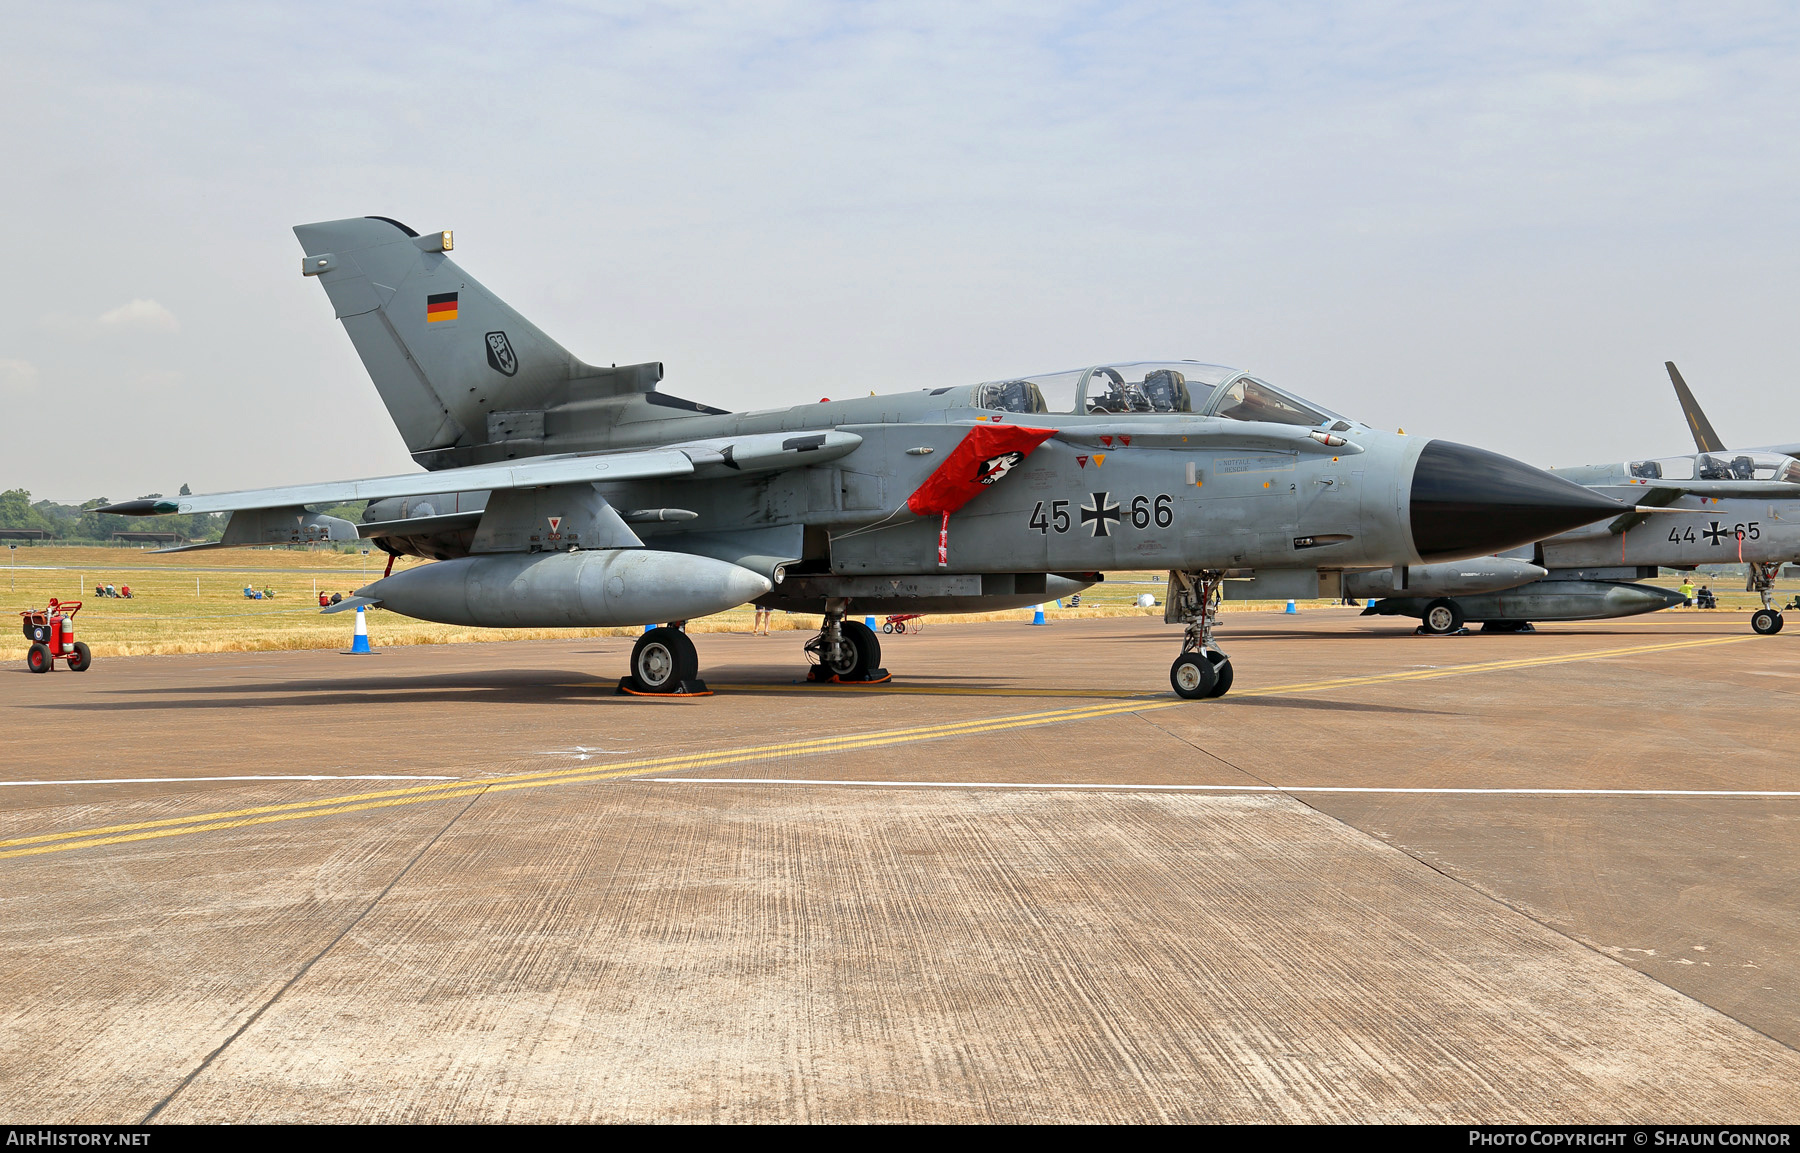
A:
[193, 602]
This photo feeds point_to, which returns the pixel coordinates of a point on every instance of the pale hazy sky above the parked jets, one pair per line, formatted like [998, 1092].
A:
[1489, 224]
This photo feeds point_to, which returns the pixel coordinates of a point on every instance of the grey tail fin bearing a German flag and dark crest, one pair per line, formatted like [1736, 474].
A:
[454, 364]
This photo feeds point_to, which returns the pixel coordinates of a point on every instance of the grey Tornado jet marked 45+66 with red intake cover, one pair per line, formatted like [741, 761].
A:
[561, 494]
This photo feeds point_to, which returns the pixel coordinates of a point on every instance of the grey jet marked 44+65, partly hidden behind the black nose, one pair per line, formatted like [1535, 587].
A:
[1711, 508]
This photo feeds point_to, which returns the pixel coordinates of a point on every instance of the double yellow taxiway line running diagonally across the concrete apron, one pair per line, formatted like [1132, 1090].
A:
[381, 800]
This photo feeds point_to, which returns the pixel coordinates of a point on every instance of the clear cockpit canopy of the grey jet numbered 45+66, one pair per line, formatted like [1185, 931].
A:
[1151, 388]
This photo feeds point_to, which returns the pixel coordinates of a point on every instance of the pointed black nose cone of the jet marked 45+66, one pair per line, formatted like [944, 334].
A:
[1471, 503]
